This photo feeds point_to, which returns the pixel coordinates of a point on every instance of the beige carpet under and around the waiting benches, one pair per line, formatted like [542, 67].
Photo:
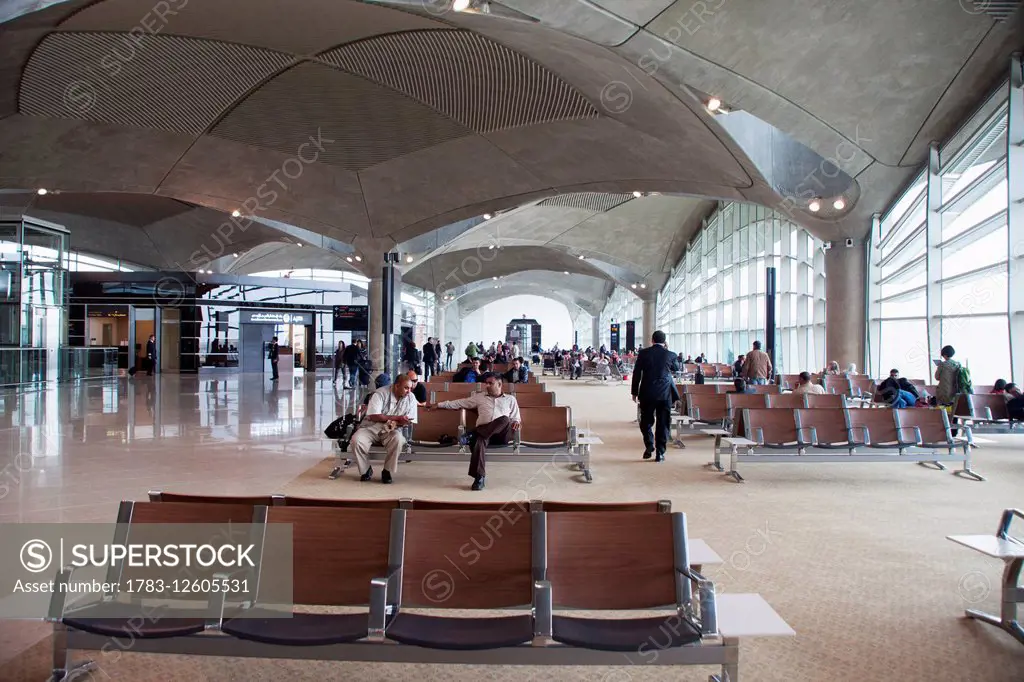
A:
[854, 557]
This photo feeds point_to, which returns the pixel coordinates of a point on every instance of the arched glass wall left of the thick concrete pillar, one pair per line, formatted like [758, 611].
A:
[714, 303]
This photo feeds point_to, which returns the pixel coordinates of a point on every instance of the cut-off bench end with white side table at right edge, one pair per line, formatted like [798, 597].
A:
[1010, 550]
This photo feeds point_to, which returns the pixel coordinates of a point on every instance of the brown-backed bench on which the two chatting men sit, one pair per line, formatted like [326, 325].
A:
[546, 436]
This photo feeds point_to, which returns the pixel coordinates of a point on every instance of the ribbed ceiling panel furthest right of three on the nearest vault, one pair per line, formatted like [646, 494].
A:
[484, 86]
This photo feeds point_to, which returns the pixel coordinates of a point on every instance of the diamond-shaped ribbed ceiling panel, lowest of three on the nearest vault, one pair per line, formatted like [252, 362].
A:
[362, 123]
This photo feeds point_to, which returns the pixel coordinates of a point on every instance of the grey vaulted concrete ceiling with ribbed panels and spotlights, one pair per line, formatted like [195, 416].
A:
[291, 113]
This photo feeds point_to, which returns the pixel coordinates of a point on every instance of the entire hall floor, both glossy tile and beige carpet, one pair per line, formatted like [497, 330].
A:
[854, 557]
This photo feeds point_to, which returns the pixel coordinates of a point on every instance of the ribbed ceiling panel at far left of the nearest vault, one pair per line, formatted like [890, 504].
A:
[164, 82]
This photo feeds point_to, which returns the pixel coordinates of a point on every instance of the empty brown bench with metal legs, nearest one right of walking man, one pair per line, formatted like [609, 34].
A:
[815, 436]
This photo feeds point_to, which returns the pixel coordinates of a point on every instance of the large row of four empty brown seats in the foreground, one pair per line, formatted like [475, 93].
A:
[540, 568]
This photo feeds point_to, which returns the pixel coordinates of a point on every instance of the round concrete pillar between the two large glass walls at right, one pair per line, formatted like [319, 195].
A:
[846, 286]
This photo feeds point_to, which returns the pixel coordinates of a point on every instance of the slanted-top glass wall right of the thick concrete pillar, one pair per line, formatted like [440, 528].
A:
[940, 270]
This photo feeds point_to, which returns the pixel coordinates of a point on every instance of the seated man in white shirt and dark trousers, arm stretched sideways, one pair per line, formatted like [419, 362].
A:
[497, 419]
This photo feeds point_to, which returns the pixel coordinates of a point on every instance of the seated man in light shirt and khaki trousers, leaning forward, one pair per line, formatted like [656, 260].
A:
[391, 408]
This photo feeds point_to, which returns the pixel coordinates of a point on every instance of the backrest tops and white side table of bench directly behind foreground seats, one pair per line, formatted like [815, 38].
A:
[701, 552]
